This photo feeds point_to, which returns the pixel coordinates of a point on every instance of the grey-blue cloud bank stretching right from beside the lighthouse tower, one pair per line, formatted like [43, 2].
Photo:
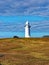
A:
[42, 26]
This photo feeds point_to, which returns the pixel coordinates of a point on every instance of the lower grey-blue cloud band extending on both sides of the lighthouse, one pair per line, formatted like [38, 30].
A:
[42, 26]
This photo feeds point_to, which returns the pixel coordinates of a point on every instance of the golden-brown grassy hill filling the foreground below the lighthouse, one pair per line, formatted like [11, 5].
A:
[21, 51]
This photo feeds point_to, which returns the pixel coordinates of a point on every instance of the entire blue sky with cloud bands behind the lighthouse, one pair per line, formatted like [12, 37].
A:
[14, 14]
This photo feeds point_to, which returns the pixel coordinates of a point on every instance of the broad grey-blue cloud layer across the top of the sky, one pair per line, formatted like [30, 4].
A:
[24, 7]
